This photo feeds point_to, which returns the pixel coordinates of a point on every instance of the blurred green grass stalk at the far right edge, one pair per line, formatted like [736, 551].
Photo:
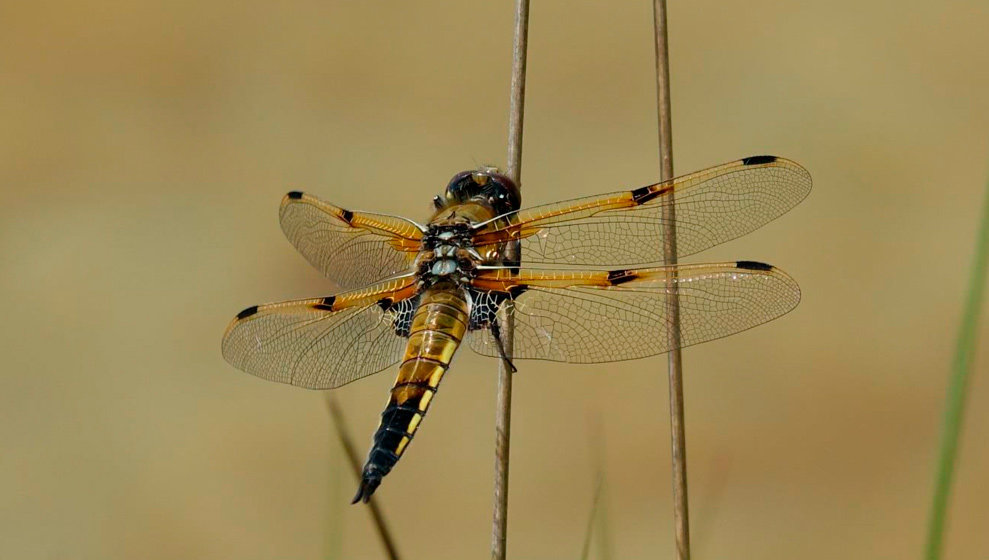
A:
[957, 384]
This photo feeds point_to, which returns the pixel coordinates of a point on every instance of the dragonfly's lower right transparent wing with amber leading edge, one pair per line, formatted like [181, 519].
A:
[601, 316]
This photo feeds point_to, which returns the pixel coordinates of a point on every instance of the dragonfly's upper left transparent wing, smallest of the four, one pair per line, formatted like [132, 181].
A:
[353, 249]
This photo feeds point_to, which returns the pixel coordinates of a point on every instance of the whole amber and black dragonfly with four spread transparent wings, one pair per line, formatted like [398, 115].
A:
[582, 281]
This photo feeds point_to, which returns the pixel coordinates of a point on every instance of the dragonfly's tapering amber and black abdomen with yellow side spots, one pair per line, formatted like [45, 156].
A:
[438, 326]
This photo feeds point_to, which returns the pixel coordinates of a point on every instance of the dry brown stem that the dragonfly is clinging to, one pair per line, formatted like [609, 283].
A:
[503, 412]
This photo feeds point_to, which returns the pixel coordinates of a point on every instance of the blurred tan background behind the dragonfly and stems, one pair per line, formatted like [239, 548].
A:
[145, 148]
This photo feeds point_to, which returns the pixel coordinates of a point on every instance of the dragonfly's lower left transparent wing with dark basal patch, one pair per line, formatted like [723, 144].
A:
[322, 343]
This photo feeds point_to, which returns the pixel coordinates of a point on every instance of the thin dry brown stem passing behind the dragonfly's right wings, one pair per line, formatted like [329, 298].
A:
[675, 365]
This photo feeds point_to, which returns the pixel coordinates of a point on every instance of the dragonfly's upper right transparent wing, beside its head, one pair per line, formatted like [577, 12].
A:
[626, 228]
